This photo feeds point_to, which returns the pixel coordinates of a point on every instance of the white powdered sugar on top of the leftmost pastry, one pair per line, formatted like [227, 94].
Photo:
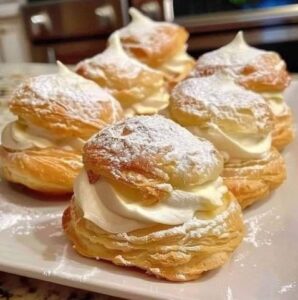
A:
[78, 96]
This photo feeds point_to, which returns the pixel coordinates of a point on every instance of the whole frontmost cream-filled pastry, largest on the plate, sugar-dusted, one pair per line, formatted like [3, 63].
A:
[150, 196]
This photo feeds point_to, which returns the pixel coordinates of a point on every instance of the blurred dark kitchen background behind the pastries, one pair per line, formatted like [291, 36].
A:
[70, 30]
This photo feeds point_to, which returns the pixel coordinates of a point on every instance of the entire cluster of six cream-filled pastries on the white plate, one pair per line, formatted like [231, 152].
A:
[149, 193]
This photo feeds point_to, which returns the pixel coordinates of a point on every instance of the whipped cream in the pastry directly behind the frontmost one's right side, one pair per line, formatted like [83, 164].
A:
[234, 146]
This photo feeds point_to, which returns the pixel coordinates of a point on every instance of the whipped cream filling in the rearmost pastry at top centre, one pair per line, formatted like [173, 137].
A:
[177, 63]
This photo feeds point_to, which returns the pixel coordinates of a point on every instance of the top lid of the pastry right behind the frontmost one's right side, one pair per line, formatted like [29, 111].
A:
[217, 99]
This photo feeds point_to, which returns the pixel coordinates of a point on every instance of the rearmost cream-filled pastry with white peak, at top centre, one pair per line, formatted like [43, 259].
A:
[160, 45]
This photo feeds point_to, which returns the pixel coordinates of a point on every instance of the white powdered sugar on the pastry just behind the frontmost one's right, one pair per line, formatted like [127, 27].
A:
[223, 99]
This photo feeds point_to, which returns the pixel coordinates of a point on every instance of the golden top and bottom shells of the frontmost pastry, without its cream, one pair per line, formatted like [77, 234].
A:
[176, 253]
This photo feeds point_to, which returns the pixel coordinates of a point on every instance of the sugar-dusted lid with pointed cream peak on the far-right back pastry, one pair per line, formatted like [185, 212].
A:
[255, 69]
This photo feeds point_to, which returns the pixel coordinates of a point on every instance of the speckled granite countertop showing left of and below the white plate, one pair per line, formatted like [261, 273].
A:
[14, 287]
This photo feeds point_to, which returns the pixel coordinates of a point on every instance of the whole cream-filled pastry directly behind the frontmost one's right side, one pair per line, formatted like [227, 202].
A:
[239, 123]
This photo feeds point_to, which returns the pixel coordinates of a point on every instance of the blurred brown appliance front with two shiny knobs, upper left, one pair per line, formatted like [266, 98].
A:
[71, 30]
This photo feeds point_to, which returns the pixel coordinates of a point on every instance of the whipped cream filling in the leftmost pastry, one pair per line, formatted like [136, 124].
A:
[19, 136]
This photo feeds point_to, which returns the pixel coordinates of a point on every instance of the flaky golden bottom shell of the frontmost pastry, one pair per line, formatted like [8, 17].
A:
[178, 253]
